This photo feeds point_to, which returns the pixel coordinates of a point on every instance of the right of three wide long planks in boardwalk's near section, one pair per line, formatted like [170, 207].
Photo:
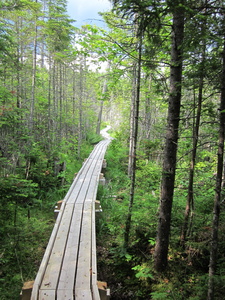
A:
[83, 275]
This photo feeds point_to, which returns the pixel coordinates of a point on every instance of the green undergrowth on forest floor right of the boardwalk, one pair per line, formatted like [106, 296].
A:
[130, 273]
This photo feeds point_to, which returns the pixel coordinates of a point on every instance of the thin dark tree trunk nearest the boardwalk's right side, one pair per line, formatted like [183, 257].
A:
[134, 138]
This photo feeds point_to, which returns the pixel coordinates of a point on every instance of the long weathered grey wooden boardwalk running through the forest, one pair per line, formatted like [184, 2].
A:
[69, 270]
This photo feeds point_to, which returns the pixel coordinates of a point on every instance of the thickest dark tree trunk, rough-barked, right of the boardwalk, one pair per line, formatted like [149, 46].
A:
[170, 151]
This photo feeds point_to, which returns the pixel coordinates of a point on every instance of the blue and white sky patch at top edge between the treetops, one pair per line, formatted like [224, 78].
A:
[86, 11]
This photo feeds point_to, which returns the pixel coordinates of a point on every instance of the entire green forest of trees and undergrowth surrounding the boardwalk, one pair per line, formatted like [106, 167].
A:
[157, 76]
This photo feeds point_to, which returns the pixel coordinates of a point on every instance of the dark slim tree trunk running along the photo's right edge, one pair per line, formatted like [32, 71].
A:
[216, 209]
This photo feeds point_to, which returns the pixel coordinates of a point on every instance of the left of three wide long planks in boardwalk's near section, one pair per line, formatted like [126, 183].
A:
[52, 271]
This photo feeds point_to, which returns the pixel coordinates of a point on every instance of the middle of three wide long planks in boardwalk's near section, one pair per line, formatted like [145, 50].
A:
[67, 276]
